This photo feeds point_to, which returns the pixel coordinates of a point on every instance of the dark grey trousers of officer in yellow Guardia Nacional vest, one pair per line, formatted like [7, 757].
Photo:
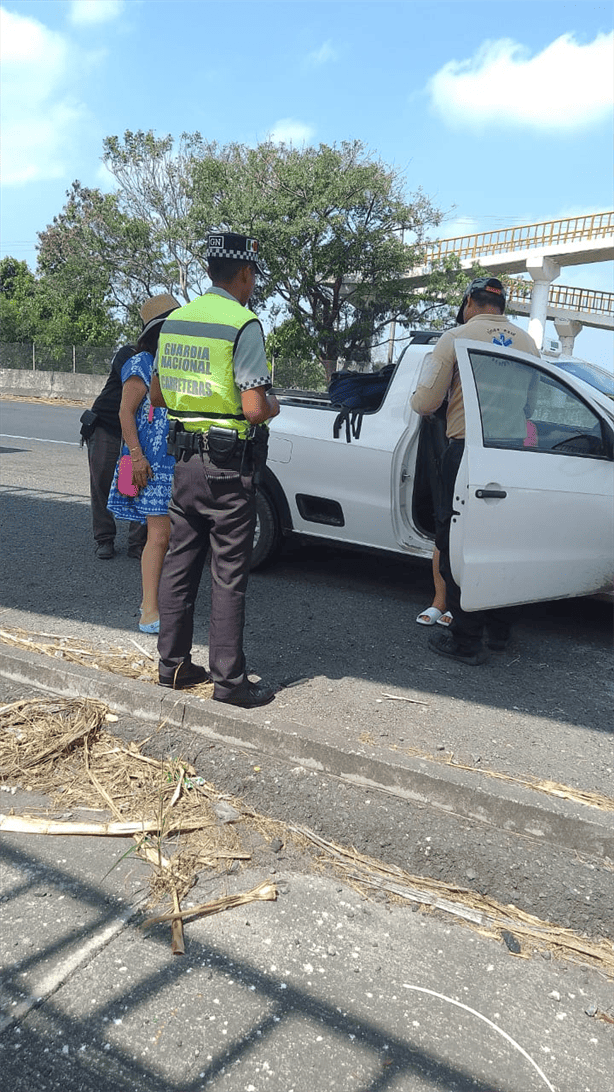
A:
[209, 507]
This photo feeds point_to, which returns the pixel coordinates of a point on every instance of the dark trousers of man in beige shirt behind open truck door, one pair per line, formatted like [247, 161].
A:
[467, 627]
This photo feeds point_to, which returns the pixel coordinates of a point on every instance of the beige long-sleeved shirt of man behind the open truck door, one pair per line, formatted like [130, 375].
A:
[440, 373]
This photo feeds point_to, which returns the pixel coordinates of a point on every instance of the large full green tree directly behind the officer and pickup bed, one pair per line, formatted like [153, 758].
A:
[336, 230]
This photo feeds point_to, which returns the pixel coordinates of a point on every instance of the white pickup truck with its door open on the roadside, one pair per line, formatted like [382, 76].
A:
[535, 515]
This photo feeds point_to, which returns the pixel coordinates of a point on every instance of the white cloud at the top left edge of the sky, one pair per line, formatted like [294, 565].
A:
[41, 120]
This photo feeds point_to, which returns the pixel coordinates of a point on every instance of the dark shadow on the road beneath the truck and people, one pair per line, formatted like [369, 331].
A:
[321, 612]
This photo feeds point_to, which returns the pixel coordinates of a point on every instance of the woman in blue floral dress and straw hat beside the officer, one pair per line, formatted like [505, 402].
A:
[145, 431]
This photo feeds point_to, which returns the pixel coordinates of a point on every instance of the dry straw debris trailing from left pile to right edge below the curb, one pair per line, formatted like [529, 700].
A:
[62, 747]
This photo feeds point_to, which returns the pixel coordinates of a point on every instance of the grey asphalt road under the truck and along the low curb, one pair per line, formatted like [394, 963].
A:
[341, 626]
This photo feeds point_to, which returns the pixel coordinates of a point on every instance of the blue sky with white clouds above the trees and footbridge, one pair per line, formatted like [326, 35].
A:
[502, 115]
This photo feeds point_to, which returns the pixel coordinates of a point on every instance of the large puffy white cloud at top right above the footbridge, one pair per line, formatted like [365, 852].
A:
[565, 88]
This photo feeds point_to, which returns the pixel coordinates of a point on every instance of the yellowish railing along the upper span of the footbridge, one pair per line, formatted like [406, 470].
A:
[551, 233]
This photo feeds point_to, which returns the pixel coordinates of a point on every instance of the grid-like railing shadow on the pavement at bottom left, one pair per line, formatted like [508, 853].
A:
[88, 1035]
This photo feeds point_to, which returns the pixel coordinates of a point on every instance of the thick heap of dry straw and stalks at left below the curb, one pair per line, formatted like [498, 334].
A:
[61, 747]
